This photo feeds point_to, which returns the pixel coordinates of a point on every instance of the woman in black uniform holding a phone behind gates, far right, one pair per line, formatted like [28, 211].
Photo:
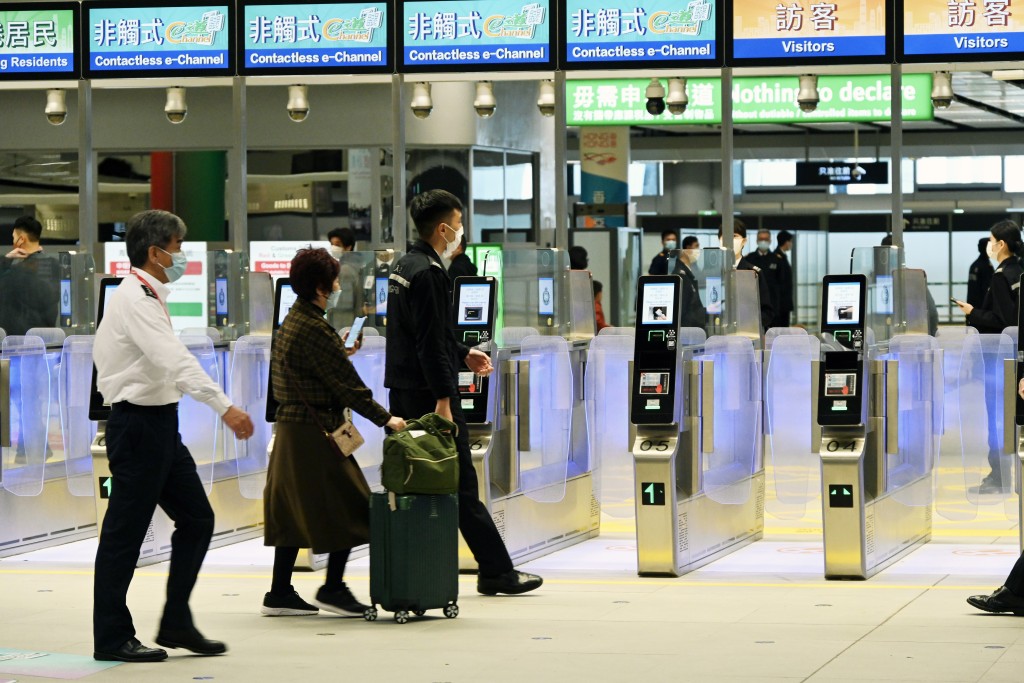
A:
[998, 312]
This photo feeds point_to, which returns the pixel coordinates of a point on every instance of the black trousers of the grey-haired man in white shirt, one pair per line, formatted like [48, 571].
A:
[150, 466]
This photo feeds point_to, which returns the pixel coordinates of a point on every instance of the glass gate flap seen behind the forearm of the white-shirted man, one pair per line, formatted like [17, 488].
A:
[200, 426]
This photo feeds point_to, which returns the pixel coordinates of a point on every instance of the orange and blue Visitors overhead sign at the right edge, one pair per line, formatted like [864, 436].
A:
[958, 30]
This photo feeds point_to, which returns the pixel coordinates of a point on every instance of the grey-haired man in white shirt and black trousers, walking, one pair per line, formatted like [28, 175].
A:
[143, 369]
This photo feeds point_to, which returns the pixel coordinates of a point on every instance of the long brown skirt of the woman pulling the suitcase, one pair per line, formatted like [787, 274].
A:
[314, 498]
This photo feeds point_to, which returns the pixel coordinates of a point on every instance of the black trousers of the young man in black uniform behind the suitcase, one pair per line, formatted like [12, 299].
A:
[475, 521]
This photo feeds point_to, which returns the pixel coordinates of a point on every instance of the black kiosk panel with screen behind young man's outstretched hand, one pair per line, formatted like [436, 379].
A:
[475, 324]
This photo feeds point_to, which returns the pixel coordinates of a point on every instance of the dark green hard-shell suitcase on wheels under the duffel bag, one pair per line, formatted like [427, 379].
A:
[414, 556]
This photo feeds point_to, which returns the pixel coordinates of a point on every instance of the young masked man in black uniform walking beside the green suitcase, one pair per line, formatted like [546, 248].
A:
[421, 371]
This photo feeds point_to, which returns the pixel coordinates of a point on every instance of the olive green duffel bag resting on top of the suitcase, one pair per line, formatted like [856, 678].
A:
[422, 459]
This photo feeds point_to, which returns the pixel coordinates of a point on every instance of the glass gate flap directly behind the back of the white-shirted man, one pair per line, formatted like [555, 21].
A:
[74, 383]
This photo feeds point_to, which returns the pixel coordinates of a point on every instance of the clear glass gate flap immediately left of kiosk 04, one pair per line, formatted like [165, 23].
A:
[794, 469]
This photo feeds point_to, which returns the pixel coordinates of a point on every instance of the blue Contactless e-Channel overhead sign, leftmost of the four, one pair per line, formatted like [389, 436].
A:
[190, 38]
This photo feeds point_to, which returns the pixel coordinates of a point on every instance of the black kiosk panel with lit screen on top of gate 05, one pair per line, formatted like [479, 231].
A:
[656, 351]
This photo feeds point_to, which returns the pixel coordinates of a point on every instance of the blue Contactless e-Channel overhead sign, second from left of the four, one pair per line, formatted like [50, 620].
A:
[315, 38]
